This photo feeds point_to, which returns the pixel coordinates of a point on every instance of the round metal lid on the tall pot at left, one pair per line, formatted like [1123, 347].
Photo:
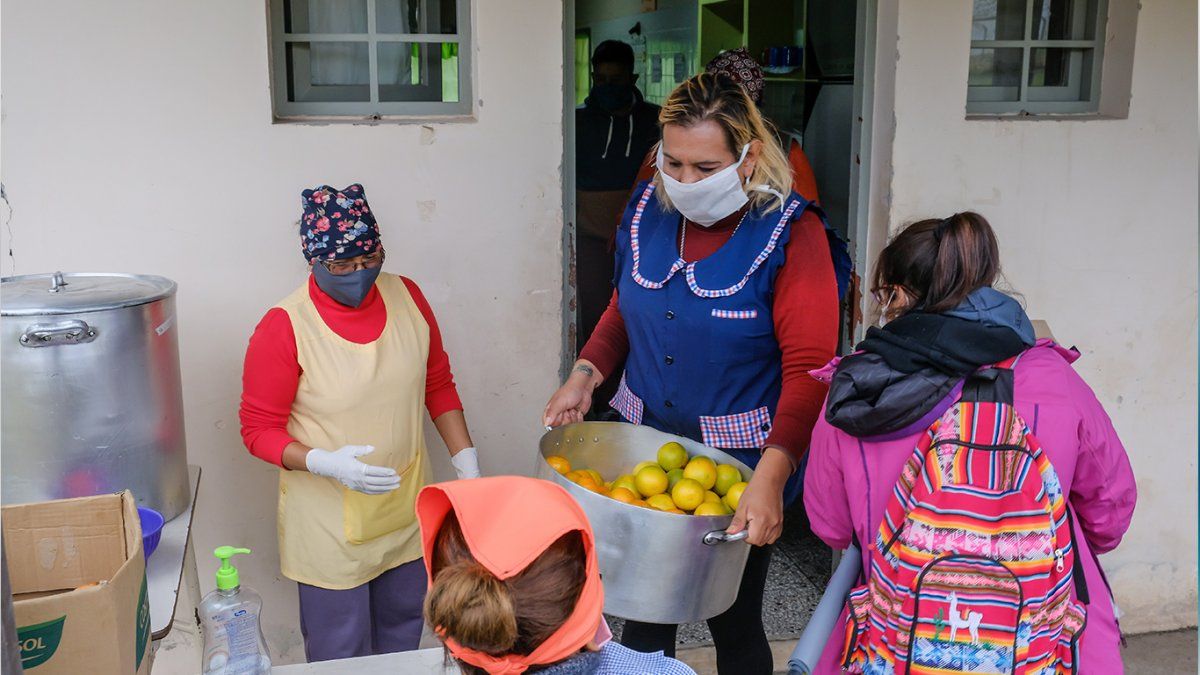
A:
[80, 292]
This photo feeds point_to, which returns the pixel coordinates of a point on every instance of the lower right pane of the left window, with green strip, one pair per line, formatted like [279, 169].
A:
[419, 71]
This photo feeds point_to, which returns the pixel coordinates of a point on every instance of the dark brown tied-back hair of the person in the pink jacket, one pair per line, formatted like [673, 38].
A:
[940, 262]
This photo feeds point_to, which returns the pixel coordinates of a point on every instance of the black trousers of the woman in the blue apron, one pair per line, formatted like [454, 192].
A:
[741, 641]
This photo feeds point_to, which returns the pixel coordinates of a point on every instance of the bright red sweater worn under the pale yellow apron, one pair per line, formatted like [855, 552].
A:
[272, 373]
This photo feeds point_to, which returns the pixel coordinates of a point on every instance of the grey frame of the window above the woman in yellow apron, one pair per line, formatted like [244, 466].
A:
[375, 109]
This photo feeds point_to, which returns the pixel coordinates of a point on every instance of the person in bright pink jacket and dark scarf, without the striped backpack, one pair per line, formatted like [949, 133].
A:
[944, 324]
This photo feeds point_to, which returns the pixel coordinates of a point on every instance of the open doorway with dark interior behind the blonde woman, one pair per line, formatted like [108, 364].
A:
[823, 103]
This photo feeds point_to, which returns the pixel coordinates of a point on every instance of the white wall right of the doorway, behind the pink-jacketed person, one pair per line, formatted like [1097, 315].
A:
[1097, 222]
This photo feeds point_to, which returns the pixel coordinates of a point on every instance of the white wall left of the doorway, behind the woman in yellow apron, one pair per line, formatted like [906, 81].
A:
[137, 138]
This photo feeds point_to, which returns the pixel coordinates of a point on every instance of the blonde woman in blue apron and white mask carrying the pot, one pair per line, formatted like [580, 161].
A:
[725, 298]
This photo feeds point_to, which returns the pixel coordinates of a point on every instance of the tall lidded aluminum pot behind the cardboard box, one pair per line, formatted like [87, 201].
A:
[92, 397]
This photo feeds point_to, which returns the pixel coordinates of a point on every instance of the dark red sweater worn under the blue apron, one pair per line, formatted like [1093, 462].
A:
[805, 312]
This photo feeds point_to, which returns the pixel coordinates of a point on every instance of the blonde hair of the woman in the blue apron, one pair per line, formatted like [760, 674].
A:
[718, 98]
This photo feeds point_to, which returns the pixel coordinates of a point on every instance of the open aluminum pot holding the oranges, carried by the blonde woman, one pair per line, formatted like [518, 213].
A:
[658, 568]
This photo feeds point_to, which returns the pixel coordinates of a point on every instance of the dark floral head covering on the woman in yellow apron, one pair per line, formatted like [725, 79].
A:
[337, 224]
